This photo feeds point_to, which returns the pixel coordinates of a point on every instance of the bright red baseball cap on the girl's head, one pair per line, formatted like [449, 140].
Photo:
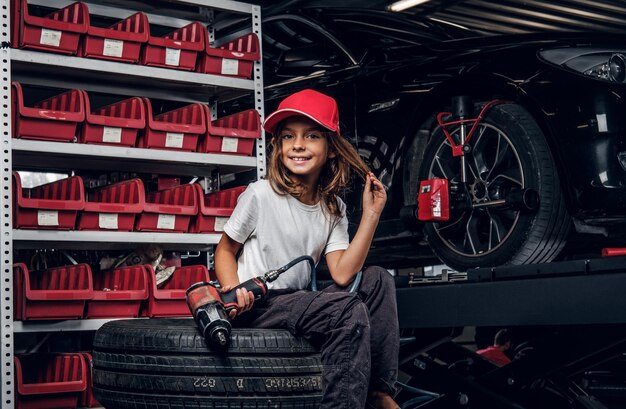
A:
[314, 105]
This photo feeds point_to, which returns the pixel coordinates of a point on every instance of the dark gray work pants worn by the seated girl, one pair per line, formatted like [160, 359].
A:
[357, 333]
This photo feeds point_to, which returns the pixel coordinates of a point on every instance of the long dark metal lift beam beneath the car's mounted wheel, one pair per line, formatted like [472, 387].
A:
[586, 299]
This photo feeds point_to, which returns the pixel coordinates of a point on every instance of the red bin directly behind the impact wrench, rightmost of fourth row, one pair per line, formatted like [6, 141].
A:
[170, 300]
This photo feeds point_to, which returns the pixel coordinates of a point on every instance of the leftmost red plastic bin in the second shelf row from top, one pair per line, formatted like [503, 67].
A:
[53, 119]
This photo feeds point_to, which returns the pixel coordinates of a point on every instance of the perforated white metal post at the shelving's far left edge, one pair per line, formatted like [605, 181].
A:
[6, 244]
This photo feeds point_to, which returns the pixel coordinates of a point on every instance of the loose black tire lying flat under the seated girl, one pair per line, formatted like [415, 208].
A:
[166, 363]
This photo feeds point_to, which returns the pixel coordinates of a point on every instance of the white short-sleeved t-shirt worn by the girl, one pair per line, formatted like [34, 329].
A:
[276, 229]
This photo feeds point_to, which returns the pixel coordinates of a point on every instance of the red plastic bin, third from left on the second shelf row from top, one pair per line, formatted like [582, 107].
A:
[178, 129]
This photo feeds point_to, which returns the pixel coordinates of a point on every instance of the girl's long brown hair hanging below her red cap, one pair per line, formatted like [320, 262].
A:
[335, 177]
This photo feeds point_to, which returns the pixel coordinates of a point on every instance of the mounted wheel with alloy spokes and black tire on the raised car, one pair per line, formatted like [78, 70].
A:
[509, 153]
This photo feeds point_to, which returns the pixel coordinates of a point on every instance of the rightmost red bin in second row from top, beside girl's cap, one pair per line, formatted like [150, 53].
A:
[233, 134]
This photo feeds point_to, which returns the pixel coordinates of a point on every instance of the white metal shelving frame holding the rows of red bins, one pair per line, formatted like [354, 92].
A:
[35, 68]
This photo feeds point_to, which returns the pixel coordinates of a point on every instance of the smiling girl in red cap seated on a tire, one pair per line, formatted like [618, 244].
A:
[295, 212]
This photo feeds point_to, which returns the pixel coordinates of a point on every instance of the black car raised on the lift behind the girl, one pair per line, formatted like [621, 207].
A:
[529, 131]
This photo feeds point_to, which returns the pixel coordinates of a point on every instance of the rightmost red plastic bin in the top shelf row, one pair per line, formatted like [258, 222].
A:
[235, 58]
